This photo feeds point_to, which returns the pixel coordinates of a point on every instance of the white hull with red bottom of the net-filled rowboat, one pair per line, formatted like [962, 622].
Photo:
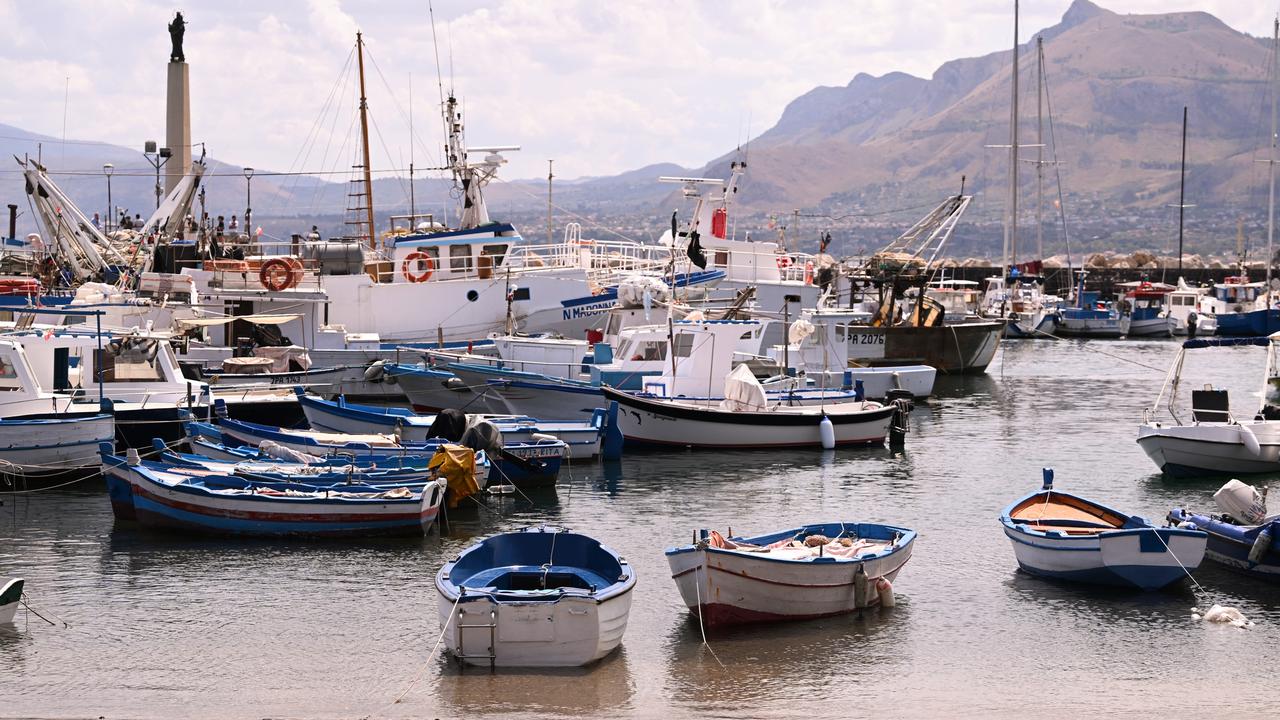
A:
[744, 589]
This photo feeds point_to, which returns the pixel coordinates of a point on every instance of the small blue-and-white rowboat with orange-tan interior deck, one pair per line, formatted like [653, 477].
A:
[1064, 536]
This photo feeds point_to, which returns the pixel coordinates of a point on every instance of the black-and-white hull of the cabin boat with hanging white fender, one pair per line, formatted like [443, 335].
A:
[655, 422]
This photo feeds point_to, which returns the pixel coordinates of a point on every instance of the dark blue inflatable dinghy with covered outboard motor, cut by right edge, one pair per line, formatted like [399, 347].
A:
[1242, 536]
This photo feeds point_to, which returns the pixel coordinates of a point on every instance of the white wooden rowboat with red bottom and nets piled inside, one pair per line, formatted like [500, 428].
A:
[797, 575]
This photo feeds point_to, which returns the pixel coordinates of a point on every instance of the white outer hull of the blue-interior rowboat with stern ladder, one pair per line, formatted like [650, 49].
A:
[564, 634]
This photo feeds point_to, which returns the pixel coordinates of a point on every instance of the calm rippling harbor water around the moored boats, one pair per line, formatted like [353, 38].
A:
[164, 626]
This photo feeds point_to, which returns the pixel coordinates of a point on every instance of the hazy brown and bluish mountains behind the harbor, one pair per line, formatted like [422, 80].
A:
[1117, 89]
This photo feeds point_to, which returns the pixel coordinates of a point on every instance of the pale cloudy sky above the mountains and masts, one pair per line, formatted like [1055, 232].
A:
[598, 86]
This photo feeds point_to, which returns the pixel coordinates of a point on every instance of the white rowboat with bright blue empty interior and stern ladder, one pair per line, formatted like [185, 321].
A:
[536, 598]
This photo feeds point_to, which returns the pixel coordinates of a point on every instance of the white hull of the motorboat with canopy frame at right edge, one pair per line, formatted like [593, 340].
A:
[1212, 449]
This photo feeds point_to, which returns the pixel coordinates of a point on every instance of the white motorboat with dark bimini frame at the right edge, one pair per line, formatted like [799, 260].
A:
[1215, 441]
